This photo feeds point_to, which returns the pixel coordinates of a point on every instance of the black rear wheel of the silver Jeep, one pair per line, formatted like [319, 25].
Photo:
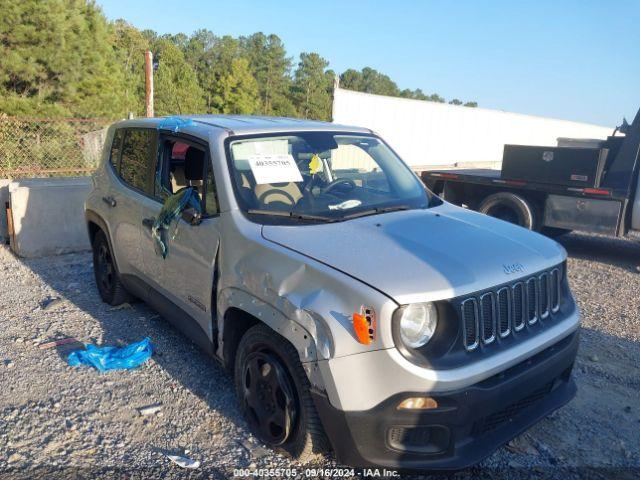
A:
[106, 274]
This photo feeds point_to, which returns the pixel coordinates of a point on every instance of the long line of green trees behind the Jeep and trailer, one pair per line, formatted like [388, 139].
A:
[64, 58]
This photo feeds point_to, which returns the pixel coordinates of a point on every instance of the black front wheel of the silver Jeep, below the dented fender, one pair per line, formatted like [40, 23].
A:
[274, 395]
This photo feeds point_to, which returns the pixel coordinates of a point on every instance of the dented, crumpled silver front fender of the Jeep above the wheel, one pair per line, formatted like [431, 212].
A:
[285, 288]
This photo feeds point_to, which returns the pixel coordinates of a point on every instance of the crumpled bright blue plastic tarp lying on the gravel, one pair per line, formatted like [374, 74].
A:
[113, 358]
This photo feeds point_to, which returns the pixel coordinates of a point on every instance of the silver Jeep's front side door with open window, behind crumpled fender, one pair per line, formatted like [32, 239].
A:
[186, 275]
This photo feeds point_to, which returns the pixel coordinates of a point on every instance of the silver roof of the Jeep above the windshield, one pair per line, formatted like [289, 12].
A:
[239, 124]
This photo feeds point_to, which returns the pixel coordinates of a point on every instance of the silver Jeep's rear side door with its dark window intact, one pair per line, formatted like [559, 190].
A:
[133, 161]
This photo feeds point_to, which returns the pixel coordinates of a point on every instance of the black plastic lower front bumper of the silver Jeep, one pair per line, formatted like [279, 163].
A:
[469, 424]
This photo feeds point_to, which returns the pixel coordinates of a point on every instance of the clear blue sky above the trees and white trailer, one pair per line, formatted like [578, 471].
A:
[575, 60]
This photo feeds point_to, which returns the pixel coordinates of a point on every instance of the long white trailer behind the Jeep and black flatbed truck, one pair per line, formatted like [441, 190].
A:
[427, 134]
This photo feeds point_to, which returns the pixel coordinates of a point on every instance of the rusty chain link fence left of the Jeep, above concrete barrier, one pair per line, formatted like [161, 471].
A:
[45, 147]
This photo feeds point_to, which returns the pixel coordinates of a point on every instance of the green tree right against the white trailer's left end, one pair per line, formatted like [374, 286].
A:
[312, 86]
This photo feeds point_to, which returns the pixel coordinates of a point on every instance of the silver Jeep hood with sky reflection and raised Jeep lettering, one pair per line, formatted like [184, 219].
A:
[423, 255]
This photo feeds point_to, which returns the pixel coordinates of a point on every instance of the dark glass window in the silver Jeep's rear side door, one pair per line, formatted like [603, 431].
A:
[136, 158]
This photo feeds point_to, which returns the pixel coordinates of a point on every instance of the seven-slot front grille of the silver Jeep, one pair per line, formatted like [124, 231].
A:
[498, 314]
